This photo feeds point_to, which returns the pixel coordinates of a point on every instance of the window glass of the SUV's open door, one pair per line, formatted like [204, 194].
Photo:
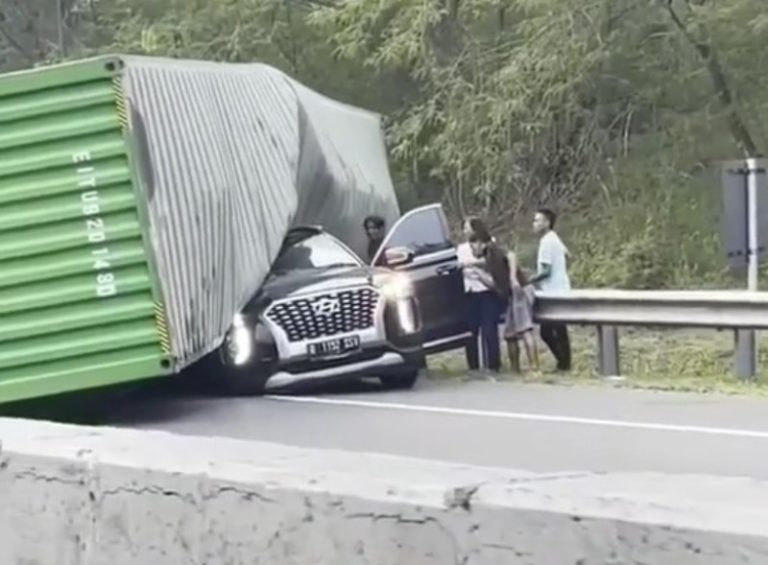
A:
[422, 231]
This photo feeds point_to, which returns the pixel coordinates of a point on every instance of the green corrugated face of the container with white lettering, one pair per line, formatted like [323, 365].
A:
[79, 303]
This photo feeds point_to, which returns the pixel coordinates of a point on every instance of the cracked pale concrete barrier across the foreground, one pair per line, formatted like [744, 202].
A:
[92, 496]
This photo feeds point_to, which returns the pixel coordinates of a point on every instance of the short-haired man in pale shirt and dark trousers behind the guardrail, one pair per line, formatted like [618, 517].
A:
[552, 277]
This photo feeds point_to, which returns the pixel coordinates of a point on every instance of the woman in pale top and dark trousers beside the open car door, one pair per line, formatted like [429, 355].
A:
[485, 293]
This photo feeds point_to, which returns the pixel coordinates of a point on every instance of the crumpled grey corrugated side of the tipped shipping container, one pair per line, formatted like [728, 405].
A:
[233, 156]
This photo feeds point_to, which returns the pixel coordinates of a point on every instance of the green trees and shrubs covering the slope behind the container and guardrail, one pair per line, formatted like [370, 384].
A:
[614, 111]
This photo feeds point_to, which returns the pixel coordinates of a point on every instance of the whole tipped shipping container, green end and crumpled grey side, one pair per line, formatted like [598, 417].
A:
[143, 201]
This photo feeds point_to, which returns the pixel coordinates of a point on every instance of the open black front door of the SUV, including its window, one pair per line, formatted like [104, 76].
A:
[435, 274]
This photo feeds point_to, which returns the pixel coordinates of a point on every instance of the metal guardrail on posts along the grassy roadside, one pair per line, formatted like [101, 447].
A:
[741, 311]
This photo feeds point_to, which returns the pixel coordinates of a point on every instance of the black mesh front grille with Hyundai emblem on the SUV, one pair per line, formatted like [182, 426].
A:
[325, 314]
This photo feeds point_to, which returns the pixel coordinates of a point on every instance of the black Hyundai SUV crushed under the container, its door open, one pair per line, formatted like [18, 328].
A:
[323, 313]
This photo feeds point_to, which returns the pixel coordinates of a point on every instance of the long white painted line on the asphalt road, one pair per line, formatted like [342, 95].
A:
[550, 418]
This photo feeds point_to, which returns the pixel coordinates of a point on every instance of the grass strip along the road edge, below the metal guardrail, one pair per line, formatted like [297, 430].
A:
[670, 360]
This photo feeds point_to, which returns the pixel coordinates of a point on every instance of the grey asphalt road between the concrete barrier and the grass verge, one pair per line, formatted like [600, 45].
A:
[539, 428]
